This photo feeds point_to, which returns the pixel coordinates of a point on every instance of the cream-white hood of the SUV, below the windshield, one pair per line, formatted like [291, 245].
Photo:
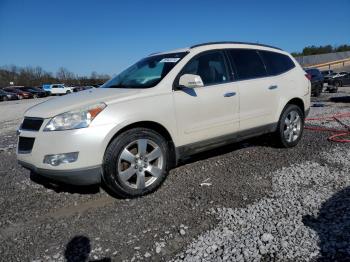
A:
[59, 105]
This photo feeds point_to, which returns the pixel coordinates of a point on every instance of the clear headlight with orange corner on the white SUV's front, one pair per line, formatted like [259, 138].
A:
[75, 119]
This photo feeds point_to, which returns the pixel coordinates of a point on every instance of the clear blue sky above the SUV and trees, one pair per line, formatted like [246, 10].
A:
[107, 36]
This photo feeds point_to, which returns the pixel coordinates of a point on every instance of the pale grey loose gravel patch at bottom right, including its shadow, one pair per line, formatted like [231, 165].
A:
[306, 216]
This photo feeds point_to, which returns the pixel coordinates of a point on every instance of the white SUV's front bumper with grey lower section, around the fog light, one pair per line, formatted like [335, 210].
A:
[89, 142]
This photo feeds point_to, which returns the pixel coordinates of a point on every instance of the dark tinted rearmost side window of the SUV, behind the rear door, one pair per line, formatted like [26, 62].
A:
[277, 63]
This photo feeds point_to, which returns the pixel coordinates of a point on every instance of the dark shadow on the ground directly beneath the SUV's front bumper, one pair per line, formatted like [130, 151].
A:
[61, 187]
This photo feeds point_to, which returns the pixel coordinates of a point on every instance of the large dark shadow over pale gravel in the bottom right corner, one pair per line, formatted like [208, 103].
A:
[333, 227]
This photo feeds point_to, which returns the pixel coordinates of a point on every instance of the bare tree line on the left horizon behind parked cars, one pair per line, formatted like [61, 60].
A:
[36, 76]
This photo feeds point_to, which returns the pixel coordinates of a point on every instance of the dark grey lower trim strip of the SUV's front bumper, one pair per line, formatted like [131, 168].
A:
[83, 176]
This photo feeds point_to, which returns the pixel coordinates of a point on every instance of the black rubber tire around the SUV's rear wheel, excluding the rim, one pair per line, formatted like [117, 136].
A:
[280, 128]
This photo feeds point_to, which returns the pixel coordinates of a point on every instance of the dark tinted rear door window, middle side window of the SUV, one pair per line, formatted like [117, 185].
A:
[248, 63]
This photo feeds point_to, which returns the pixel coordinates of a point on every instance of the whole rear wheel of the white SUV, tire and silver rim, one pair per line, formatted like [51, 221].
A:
[289, 135]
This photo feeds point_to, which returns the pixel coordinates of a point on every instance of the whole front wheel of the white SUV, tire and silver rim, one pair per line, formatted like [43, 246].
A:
[141, 174]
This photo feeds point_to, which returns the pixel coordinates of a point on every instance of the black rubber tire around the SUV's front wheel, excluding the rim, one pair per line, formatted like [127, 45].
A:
[113, 151]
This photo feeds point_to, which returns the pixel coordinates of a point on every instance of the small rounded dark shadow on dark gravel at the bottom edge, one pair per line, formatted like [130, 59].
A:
[78, 250]
